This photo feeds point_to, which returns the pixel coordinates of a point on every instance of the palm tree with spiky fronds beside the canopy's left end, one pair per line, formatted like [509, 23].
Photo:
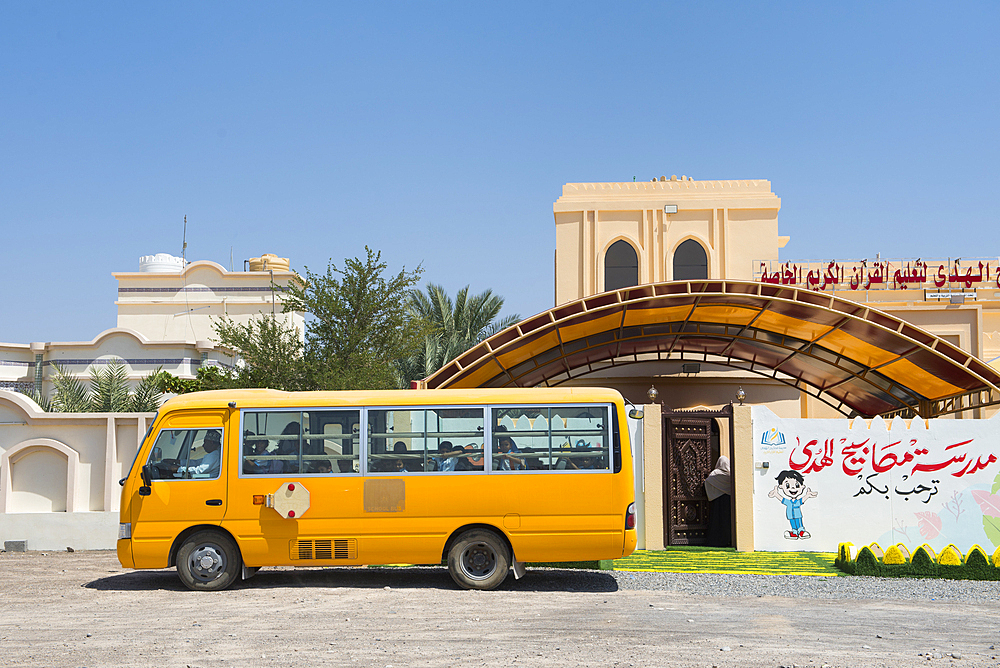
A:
[451, 327]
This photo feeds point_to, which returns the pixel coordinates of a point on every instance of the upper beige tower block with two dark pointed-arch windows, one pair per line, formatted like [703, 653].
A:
[670, 229]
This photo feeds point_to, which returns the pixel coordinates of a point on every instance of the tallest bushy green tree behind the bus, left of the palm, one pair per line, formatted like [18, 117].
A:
[358, 323]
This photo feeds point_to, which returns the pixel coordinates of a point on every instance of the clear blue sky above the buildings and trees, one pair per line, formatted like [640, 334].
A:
[442, 133]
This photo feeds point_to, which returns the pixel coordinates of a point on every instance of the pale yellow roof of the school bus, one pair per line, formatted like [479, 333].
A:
[260, 398]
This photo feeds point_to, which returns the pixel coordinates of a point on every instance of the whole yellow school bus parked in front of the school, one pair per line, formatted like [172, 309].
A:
[229, 481]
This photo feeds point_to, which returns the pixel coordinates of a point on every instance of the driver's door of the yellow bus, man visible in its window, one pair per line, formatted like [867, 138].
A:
[182, 484]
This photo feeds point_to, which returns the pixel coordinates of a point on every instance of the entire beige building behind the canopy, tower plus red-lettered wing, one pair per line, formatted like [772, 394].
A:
[615, 235]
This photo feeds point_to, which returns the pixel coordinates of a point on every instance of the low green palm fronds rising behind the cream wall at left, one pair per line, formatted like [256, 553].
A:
[108, 391]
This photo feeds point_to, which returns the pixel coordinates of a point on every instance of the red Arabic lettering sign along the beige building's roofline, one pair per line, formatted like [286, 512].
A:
[934, 275]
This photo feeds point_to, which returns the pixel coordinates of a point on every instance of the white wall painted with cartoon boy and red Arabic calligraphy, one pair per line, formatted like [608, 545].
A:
[833, 481]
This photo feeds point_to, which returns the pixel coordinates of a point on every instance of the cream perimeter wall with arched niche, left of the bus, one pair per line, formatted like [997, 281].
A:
[59, 473]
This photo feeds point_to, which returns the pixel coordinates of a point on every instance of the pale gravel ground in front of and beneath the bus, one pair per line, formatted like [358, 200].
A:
[84, 610]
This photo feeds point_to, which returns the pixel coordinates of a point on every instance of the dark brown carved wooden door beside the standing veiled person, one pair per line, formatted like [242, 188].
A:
[688, 459]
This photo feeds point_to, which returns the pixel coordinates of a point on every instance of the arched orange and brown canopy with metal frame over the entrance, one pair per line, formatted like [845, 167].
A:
[853, 357]
